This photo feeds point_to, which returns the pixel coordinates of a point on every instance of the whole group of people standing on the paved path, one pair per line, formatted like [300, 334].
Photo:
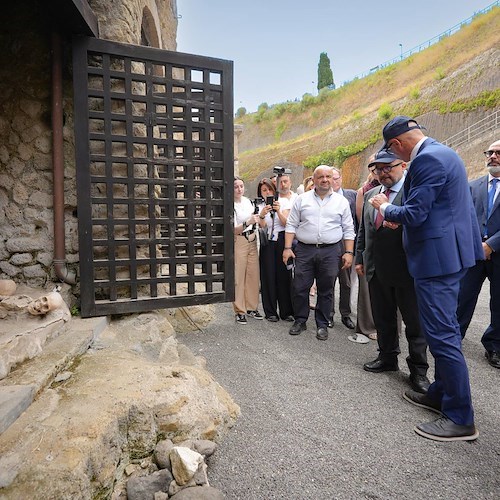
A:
[422, 241]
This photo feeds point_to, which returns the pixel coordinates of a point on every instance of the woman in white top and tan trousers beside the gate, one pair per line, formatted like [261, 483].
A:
[246, 258]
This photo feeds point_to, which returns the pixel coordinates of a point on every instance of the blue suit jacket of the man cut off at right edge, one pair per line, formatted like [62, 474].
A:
[479, 191]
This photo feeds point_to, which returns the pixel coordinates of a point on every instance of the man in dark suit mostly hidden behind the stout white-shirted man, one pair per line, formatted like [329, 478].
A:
[344, 276]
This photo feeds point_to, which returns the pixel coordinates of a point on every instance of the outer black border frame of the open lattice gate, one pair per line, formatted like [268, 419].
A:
[81, 47]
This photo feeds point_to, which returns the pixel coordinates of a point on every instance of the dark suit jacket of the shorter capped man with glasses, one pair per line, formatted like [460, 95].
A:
[381, 250]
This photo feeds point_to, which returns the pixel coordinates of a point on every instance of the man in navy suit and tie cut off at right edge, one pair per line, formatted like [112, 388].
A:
[485, 194]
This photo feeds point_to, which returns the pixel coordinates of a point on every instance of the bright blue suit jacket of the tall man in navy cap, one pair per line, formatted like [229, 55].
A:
[440, 230]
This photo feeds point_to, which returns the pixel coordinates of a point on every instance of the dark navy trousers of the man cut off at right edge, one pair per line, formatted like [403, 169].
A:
[470, 287]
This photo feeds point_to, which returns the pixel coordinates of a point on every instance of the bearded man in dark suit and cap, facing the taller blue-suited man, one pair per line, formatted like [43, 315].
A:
[381, 258]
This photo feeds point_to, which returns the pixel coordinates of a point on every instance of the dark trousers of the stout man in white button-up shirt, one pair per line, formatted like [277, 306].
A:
[320, 264]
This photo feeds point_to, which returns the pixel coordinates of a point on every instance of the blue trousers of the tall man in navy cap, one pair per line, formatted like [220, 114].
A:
[437, 302]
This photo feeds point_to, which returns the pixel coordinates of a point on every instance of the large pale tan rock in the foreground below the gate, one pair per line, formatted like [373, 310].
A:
[135, 386]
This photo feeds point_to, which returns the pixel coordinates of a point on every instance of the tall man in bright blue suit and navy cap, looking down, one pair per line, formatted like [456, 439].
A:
[441, 239]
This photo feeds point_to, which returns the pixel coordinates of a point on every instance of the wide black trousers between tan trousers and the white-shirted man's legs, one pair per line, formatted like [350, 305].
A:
[275, 280]
